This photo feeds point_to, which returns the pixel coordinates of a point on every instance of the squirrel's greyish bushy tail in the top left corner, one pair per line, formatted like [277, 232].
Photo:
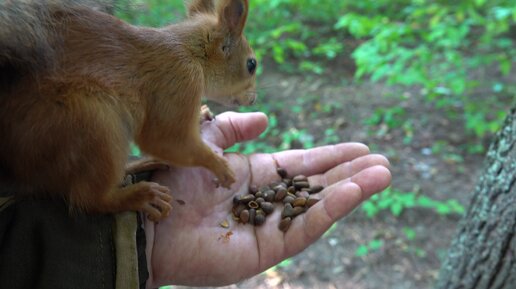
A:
[28, 40]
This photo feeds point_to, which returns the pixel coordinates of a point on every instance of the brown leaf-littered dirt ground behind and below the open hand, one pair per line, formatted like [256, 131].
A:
[400, 263]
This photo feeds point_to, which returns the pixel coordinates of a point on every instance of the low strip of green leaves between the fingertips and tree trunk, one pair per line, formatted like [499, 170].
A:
[396, 202]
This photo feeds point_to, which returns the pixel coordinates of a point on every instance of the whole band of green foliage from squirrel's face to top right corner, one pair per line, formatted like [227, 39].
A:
[442, 47]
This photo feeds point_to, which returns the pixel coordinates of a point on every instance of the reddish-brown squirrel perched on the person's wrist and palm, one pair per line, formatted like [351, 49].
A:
[78, 85]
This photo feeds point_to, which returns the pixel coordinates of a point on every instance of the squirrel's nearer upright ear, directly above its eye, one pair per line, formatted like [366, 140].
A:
[233, 14]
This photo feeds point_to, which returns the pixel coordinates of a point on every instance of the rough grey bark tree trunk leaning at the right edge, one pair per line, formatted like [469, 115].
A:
[482, 254]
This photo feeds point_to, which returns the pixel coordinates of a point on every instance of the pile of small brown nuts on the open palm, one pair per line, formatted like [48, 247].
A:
[295, 194]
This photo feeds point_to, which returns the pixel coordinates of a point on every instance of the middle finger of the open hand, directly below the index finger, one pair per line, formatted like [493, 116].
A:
[348, 169]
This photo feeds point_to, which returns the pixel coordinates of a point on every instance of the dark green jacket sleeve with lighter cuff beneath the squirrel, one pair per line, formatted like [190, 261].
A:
[44, 245]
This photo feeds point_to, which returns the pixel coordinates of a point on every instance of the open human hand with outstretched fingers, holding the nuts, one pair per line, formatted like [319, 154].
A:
[189, 247]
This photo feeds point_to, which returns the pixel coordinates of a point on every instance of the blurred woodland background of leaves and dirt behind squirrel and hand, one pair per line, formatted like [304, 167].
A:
[426, 83]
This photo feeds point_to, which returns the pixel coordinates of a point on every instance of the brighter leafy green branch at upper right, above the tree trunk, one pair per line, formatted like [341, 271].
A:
[439, 45]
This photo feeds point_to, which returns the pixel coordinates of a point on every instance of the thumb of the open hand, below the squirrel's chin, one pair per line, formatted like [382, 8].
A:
[232, 127]
